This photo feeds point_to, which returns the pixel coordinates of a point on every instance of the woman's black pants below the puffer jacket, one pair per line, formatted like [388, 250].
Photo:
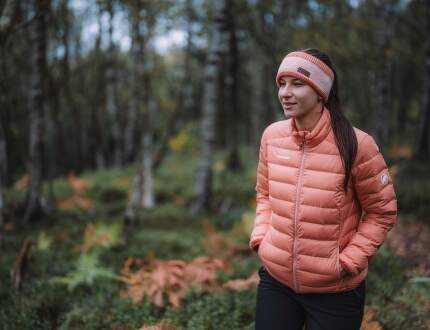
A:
[279, 307]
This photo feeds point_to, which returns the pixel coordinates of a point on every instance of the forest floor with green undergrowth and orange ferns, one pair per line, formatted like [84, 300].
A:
[87, 270]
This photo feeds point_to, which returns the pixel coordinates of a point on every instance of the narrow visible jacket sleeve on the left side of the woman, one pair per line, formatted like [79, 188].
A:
[263, 210]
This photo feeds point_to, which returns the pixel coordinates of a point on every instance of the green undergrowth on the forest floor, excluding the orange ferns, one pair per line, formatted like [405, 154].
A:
[59, 293]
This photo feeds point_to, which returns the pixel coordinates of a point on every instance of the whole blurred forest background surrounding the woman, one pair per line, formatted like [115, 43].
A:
[129, 137]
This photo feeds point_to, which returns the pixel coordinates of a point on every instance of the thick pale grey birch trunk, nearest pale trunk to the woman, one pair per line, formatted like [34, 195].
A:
[203, 183]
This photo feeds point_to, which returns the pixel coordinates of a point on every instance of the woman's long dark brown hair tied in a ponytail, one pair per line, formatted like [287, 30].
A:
[346, 139]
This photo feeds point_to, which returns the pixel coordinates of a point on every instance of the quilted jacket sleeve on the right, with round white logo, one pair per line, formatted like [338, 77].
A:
[375, 192]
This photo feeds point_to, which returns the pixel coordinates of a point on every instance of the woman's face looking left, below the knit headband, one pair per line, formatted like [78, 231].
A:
[298, 99]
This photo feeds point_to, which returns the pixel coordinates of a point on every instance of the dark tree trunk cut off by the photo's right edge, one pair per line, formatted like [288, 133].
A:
[422, 151]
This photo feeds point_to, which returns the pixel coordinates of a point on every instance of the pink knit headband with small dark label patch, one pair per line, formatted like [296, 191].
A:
[308, 68]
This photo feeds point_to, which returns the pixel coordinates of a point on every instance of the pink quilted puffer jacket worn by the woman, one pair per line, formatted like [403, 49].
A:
[305, 225]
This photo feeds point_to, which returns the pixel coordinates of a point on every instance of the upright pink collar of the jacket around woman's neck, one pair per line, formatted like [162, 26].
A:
[318, 133]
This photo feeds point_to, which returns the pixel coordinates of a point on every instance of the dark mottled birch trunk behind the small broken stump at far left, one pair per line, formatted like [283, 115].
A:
[34, 203]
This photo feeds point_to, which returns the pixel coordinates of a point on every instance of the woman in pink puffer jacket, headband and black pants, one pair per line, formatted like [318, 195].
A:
[315, 176]
